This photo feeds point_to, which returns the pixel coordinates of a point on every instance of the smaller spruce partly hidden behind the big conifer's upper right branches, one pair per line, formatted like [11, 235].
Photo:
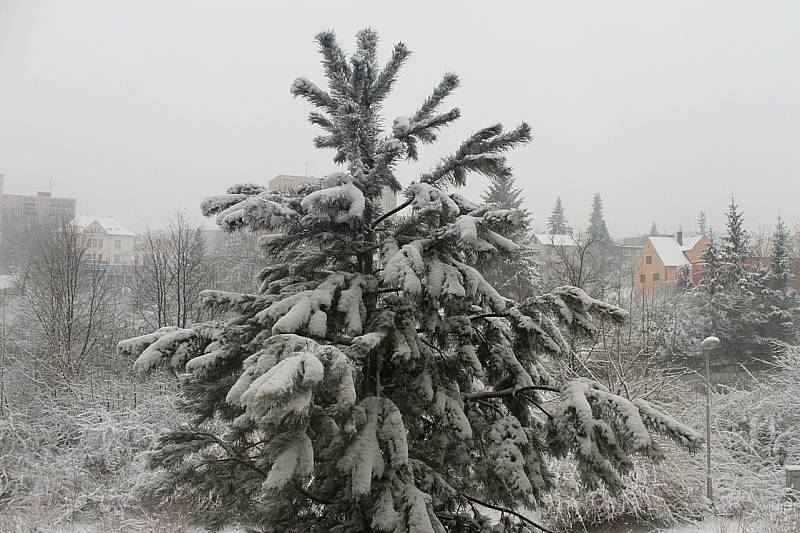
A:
[513, 273]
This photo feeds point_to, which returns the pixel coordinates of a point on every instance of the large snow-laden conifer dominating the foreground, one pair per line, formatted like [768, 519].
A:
[375, 382]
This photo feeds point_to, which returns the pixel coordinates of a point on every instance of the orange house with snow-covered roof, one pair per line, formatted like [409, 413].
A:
[662, 257]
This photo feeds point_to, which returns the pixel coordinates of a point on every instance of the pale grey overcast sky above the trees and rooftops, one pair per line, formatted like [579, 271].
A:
[140, 107]
